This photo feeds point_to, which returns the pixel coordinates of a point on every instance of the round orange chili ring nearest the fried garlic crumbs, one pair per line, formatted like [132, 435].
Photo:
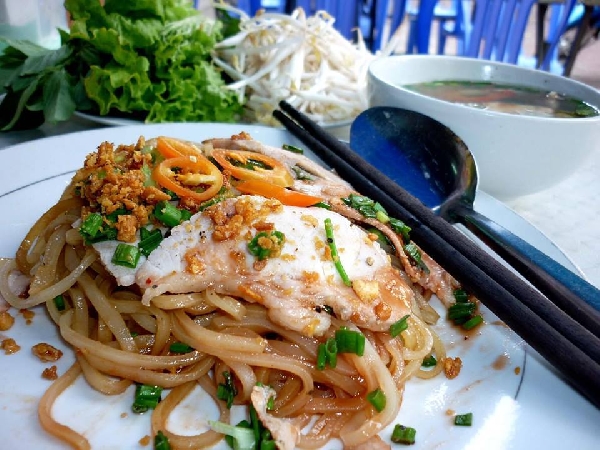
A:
[184, 175]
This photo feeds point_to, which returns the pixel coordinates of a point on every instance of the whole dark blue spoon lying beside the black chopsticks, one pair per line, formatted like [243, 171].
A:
[432, 163]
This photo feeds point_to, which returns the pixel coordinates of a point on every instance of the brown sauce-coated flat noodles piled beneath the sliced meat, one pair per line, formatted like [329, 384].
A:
[227, 334]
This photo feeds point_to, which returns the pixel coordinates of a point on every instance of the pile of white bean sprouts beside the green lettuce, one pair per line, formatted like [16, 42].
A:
[299, 58]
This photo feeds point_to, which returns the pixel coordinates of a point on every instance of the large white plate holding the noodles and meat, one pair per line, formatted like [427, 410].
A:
[531, 409]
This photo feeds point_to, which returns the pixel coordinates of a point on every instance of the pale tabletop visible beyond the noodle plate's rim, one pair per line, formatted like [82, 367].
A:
[568, 213]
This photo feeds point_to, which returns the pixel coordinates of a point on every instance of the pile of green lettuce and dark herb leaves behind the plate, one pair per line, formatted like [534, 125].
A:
[149, 59]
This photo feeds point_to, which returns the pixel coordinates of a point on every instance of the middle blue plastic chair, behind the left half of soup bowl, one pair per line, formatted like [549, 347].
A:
[451, 19]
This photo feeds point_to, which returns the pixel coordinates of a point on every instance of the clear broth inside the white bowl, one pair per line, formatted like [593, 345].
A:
[506, 98]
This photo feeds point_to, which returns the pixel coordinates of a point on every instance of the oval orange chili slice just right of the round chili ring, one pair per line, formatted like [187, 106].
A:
[245, 165]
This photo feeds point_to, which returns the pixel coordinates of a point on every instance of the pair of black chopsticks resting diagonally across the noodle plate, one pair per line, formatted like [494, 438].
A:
[570, 346]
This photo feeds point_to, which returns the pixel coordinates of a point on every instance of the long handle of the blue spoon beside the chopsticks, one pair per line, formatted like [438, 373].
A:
[551, 278]
